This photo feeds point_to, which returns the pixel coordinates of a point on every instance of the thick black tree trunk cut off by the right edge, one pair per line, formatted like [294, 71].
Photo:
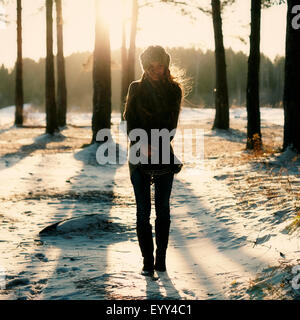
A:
[291, 99]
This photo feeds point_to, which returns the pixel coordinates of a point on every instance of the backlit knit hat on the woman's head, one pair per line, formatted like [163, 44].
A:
[154, 53]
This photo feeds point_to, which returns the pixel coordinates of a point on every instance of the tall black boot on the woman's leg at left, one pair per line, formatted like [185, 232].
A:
[144, 234]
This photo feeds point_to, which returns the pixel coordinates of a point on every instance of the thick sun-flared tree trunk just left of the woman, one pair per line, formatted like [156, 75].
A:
[101, 76]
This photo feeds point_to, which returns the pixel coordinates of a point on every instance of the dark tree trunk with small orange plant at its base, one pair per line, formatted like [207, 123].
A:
[253, 125]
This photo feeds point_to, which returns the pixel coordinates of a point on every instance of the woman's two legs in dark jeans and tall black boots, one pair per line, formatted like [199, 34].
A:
[163, 186]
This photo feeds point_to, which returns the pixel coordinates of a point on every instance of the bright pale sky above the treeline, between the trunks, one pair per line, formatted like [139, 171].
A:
[160, 24]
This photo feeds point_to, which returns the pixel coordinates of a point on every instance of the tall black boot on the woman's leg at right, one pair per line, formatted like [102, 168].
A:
[162, 229]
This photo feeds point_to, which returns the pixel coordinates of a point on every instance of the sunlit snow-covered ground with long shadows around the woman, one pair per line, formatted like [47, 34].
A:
[232, 234]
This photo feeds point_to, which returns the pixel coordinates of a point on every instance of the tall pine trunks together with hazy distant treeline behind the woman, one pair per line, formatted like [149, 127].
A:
[228, 79]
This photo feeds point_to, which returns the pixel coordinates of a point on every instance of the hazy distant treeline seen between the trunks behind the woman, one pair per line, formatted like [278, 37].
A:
[198, 67]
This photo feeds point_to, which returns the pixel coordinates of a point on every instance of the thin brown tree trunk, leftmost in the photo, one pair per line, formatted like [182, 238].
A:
[19, 95]
